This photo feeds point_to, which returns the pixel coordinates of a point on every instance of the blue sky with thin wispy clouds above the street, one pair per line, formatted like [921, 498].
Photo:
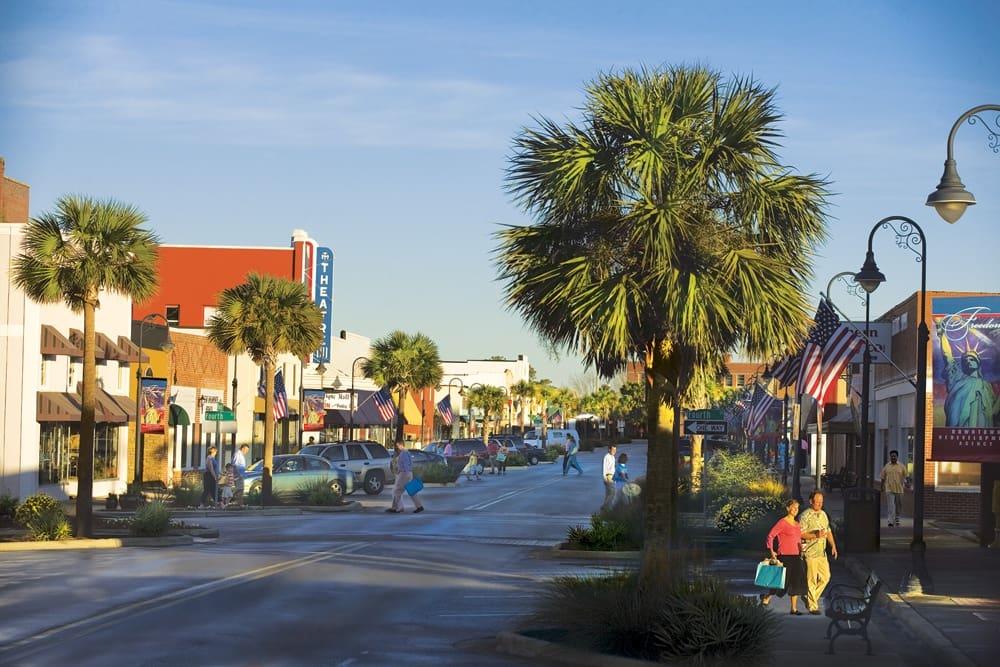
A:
[383, 129]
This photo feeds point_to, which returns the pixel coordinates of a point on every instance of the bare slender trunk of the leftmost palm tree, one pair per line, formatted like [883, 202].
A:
[88, 401]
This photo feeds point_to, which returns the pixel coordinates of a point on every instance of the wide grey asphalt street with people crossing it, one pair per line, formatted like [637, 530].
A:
[353, 588]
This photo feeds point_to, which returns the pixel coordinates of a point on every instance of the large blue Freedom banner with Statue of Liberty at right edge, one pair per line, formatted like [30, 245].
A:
[966, 365]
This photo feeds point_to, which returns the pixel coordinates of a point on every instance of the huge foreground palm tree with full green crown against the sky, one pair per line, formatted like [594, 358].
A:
[666, 231]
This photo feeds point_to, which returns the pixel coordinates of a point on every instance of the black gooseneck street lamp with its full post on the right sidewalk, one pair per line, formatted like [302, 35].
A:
[909, 235]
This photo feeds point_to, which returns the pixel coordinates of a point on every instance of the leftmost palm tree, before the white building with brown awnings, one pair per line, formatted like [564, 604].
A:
[73, 254]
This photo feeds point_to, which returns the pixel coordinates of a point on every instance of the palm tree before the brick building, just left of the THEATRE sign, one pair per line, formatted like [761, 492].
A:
[264, 317]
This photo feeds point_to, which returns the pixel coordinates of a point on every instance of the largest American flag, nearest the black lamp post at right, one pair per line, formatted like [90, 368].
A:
[828, 349]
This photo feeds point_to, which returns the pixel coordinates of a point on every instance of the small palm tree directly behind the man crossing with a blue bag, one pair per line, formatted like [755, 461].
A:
[404, 363]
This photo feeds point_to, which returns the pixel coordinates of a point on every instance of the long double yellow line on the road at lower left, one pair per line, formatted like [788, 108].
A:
[39, 641]
